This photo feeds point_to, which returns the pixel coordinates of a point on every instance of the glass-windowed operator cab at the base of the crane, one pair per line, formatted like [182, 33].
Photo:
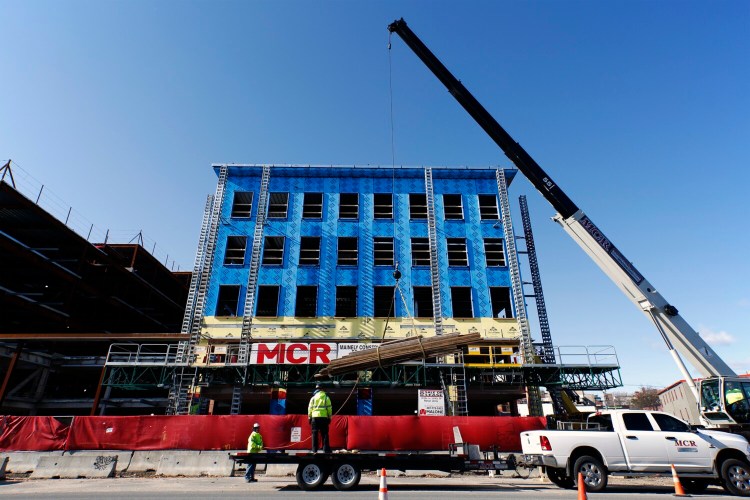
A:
[725, 400]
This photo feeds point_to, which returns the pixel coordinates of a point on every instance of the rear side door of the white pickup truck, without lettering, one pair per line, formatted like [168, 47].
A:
[643, 447]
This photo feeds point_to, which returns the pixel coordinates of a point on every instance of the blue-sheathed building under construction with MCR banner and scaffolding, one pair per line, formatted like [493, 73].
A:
[299, 265]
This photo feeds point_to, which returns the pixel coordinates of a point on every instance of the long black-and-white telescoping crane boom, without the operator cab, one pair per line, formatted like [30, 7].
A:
[680, 337]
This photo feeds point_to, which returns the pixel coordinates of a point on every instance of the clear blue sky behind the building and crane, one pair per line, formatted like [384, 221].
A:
[639, 109]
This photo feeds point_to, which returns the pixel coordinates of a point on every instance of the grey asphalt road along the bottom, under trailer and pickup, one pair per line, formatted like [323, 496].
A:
[475, 487]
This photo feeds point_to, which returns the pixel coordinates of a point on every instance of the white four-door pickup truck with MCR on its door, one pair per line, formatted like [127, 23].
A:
[632, 442]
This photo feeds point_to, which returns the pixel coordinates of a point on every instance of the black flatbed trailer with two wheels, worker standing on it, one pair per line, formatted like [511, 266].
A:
[345, 468]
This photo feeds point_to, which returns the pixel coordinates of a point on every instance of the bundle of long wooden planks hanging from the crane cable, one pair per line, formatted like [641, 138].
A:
[398, 351]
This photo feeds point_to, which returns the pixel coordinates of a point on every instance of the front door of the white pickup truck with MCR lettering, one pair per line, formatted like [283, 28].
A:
[688, 451]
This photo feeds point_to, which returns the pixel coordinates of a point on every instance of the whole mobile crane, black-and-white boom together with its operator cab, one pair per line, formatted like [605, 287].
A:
[717, 409]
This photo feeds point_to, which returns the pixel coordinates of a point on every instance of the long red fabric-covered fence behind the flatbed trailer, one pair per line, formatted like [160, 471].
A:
[230, 432]
